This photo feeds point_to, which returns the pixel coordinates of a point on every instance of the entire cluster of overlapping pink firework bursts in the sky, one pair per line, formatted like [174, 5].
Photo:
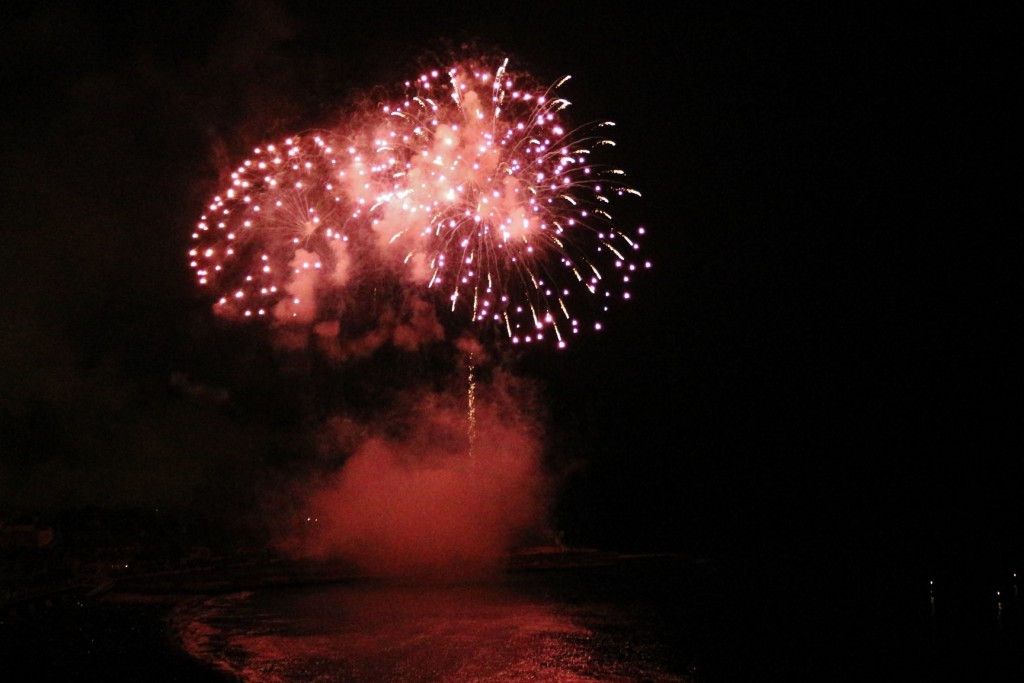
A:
[472, 188]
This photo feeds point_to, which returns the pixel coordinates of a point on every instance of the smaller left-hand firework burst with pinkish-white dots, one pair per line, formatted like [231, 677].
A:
[269, 239]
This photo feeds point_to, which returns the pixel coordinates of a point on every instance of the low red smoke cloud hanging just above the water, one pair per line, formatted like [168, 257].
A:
[414, 500]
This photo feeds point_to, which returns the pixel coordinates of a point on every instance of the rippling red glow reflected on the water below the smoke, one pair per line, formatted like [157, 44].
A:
[526, 628]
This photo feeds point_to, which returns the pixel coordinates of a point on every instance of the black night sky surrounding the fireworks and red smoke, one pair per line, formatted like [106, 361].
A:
[826, 349]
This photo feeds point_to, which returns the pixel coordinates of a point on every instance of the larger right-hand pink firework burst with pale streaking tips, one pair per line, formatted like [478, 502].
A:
[495, 203]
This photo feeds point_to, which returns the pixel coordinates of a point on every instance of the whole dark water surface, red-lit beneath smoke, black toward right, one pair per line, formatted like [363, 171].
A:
[652, 619]
